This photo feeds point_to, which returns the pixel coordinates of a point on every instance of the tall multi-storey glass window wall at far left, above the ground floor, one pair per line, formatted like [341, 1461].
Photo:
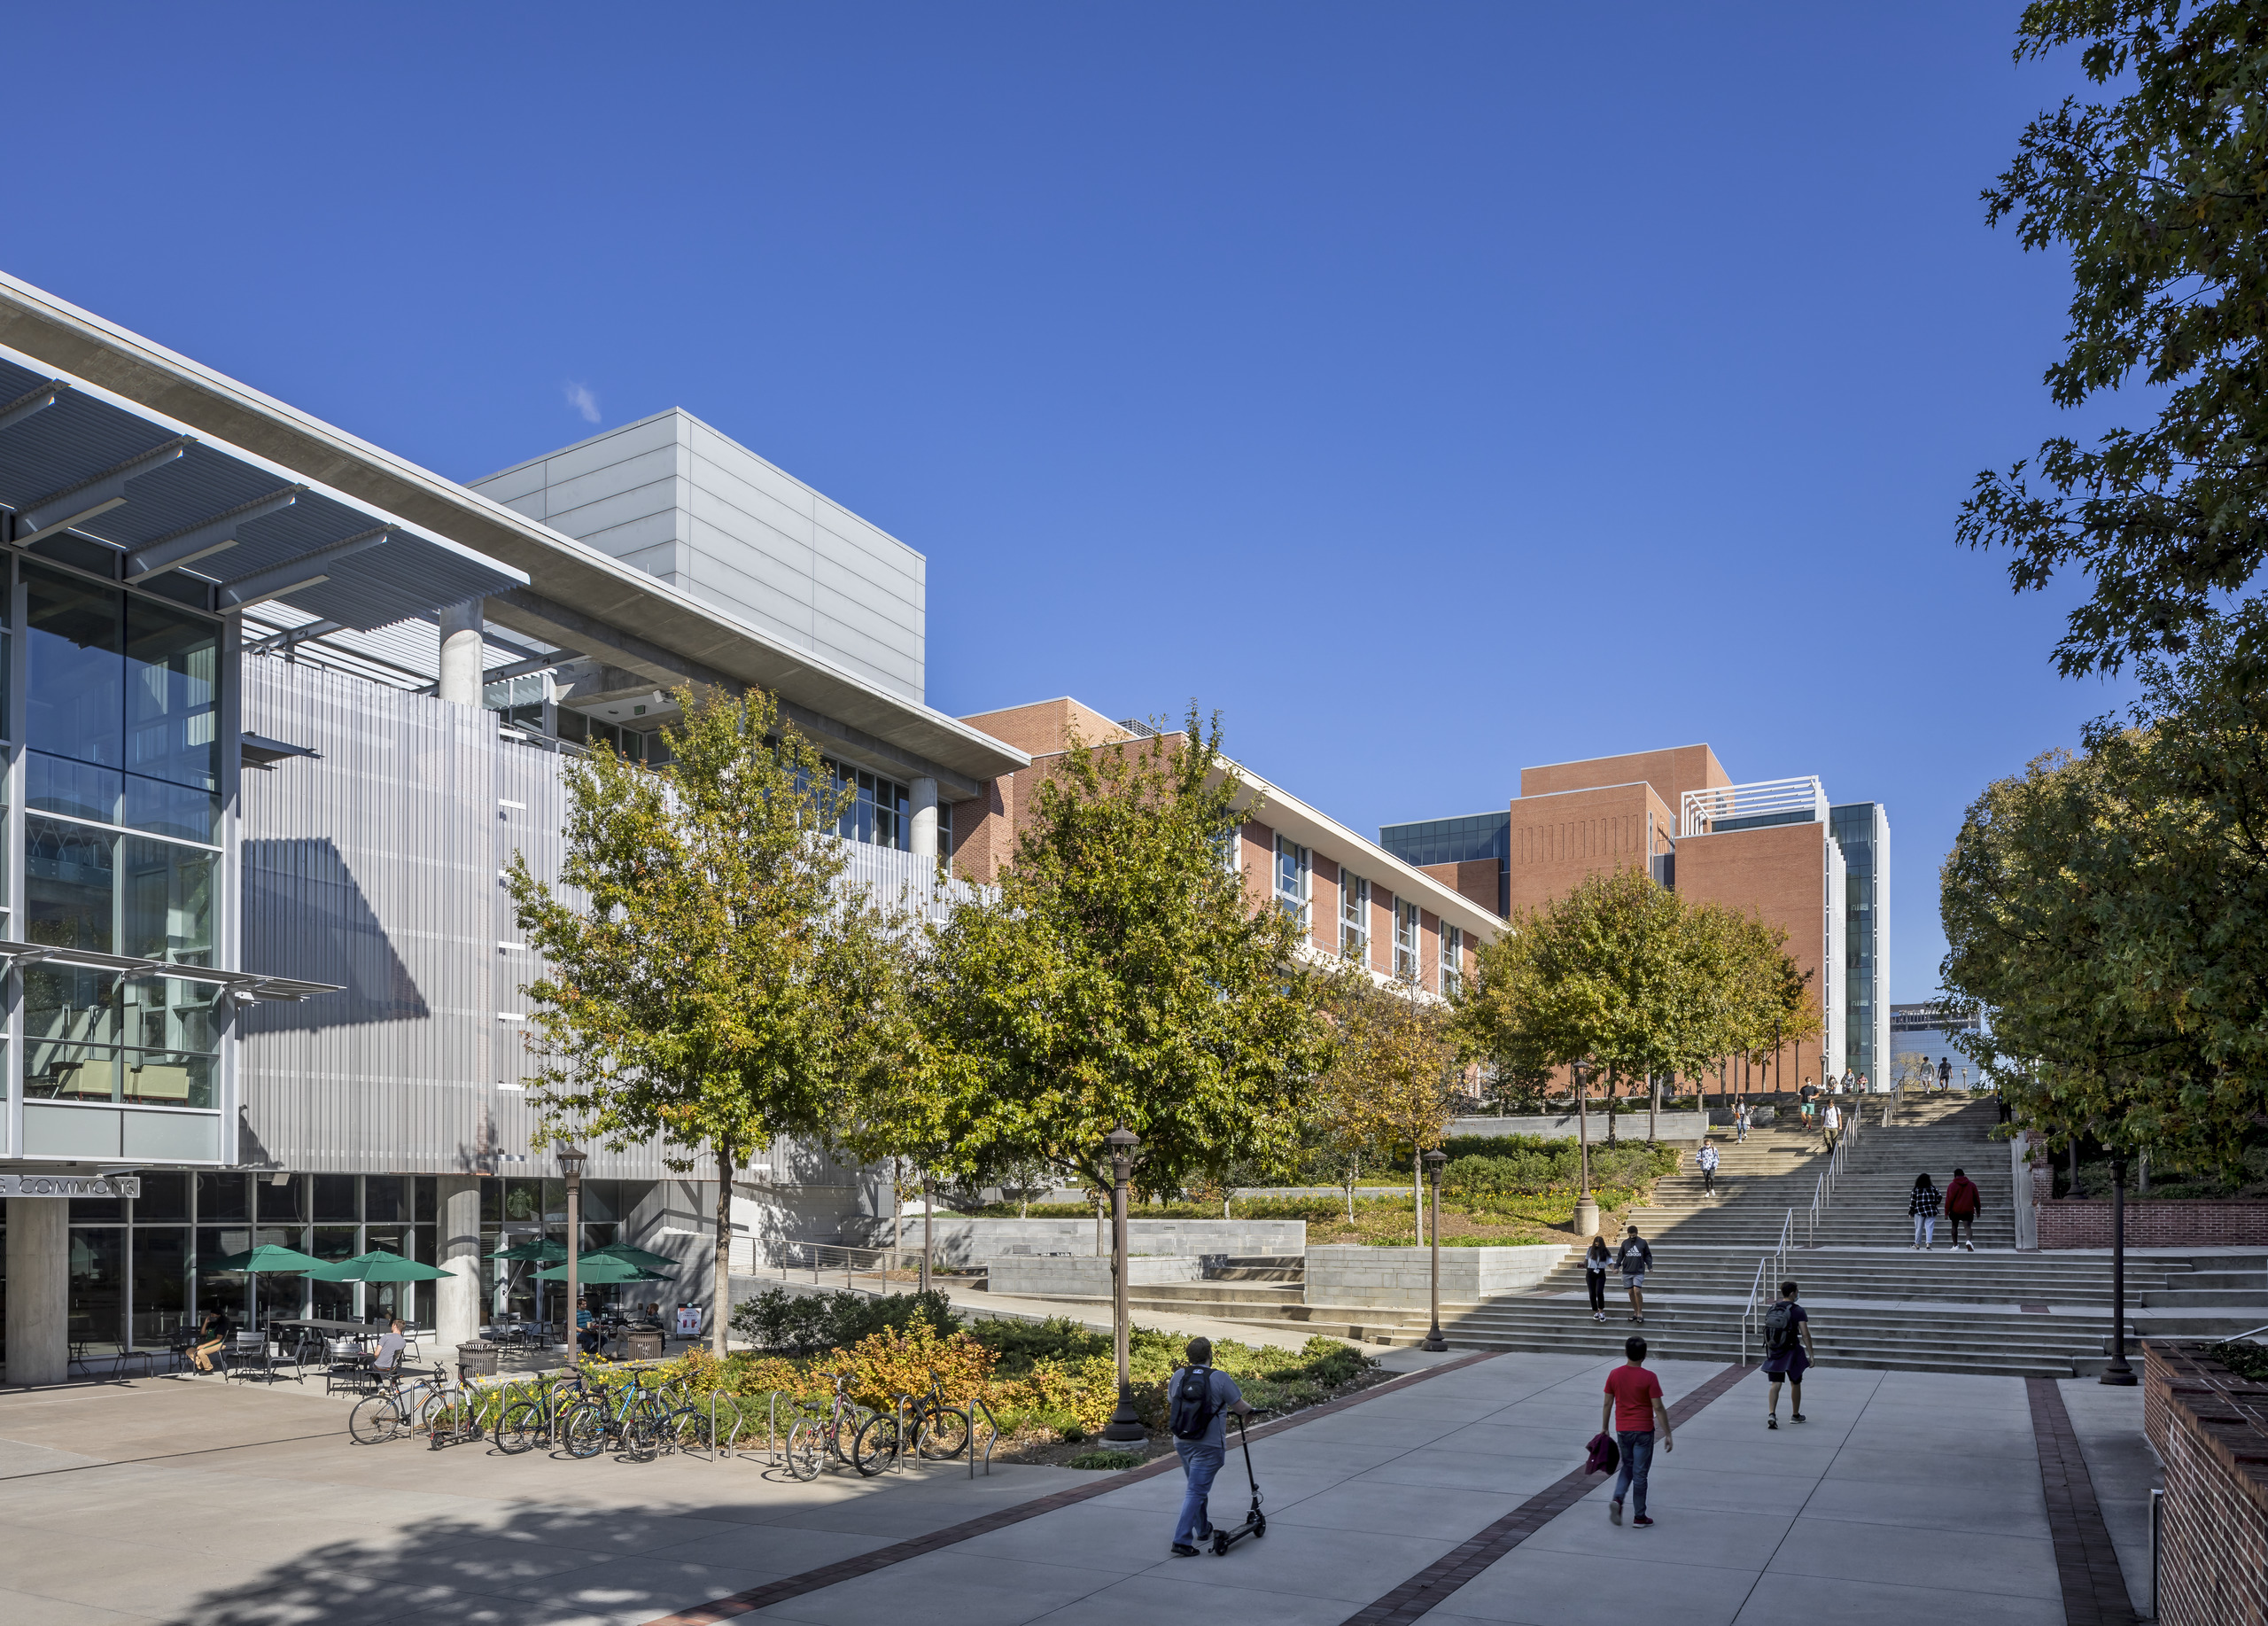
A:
[121, 840]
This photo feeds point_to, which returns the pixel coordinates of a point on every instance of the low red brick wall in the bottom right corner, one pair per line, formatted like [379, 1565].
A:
[2212, 1561]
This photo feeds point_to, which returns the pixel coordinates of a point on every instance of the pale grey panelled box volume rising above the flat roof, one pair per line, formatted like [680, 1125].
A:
[688, 505]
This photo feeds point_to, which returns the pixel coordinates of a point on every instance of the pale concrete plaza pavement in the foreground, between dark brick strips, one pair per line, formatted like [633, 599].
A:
[1906, 1496]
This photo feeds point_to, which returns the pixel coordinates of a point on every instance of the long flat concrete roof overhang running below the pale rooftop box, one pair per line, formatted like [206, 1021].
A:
[573, 584]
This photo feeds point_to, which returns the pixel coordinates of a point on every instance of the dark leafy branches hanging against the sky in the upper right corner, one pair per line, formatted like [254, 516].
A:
[2160, 198]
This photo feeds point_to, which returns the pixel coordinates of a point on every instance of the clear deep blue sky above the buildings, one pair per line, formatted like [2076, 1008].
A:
[1435, 389]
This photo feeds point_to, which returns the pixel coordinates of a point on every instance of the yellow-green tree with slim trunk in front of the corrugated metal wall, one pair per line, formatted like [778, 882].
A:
[709, 981]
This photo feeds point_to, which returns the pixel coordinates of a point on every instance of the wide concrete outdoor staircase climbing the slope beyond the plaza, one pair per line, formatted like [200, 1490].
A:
[1875, 1301]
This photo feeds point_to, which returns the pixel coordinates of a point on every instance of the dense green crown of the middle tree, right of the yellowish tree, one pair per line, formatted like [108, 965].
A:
[1122, 979]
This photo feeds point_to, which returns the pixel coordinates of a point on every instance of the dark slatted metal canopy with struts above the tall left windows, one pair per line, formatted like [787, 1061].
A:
[76, 459]
